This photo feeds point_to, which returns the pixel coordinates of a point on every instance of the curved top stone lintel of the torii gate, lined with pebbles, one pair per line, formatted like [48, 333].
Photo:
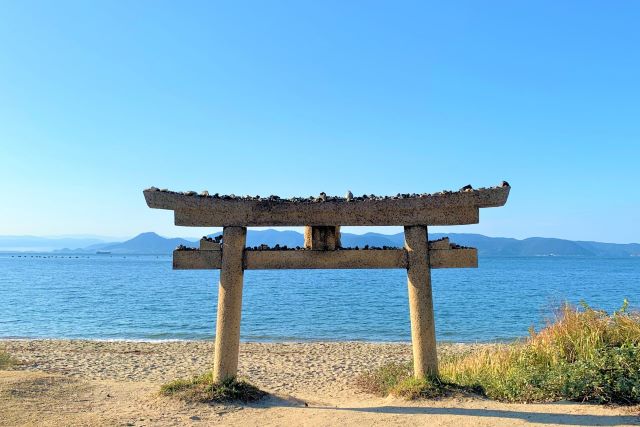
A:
[446, 208]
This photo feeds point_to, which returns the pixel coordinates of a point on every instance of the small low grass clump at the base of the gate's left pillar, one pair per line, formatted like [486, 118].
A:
[201, 388]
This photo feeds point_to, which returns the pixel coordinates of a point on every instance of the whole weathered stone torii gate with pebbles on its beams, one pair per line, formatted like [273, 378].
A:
[322, 217]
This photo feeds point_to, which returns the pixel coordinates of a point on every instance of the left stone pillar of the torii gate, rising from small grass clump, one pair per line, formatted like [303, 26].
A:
[227, 347]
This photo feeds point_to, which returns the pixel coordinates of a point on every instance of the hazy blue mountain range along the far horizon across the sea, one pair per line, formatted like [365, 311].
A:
[152, 243]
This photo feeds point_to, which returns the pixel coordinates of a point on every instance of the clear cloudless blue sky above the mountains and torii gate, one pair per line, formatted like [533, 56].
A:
[99, 100]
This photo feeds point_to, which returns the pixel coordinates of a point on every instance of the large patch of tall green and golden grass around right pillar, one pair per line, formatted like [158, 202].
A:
[584, 355]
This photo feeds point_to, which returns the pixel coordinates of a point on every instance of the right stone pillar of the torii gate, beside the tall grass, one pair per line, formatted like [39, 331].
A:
[423, 330]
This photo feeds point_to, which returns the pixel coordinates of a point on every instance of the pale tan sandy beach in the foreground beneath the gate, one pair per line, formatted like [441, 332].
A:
[116, 383]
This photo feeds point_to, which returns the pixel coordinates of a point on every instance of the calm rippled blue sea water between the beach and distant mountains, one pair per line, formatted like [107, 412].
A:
[142, 298]
